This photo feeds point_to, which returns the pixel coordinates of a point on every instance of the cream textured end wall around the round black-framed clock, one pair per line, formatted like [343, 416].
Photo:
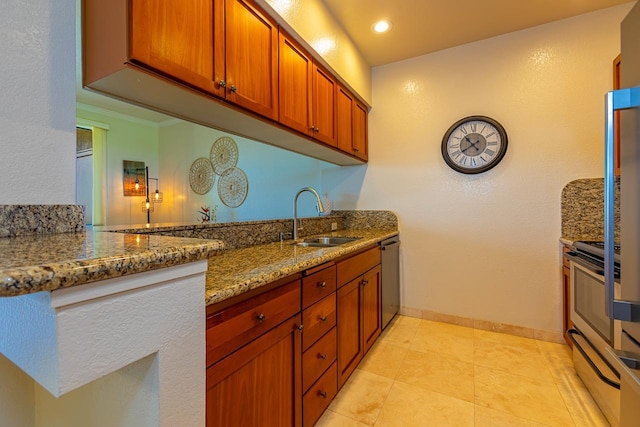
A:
[486, 246]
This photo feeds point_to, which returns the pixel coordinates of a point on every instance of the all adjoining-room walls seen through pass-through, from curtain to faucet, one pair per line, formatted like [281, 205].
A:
[170, 148]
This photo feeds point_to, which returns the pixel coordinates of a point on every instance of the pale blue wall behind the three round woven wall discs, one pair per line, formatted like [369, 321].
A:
[274, 176]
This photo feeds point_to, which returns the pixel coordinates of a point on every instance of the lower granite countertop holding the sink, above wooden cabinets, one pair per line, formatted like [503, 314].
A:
[239, 270]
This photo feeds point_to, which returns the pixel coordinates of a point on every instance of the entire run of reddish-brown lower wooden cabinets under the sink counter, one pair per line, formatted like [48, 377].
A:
[278, 357]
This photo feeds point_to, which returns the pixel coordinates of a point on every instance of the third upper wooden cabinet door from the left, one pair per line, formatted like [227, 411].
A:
[295, 69]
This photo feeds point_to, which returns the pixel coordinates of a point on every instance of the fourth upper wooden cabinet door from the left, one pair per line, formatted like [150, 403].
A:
[324, 99]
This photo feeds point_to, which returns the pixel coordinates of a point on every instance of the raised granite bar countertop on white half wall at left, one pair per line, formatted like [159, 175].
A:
[52, 261]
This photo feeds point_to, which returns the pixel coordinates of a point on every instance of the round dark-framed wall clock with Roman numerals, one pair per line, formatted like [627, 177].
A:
[474, 144]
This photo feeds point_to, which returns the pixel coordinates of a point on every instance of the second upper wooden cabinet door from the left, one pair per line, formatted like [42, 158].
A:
[251, 52]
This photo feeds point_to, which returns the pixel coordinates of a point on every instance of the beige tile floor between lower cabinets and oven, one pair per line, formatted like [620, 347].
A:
[425, 373]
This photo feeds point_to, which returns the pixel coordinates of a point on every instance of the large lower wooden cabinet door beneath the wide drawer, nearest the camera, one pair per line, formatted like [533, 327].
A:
[260, 384]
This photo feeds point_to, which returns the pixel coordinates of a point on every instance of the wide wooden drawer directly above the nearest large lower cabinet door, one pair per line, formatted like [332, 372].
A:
[233, 327]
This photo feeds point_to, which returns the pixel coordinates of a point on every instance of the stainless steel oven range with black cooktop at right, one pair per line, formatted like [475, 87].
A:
[594, 332]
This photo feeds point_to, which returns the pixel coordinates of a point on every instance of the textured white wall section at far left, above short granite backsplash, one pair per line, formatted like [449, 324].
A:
[37, 116]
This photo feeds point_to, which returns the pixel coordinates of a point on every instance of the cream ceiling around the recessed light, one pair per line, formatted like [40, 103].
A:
[425, 26]
